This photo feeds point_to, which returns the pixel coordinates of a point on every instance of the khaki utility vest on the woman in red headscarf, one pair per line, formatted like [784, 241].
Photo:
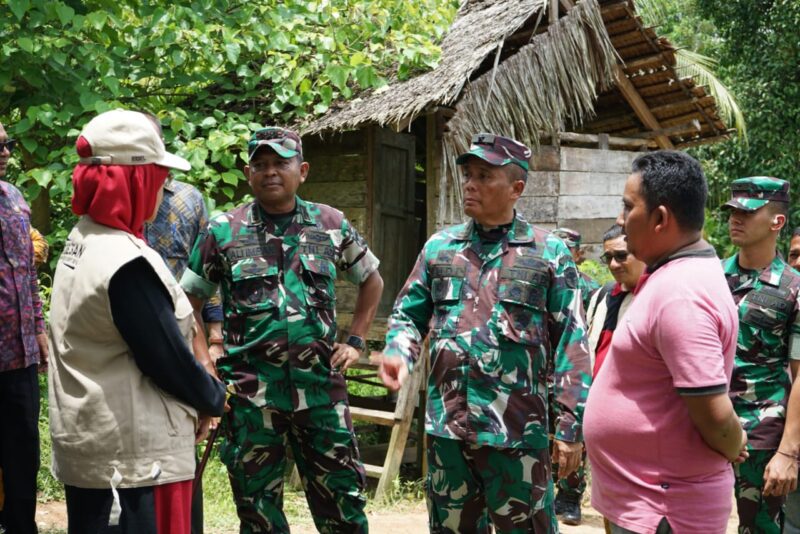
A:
[111, 425]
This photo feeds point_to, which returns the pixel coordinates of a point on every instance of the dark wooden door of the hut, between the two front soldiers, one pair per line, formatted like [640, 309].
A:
[394, 227]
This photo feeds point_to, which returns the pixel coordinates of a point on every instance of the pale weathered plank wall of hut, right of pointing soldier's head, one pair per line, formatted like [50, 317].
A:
[579, 188]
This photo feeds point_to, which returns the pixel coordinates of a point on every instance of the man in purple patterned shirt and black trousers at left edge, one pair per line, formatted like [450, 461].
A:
[23, 348]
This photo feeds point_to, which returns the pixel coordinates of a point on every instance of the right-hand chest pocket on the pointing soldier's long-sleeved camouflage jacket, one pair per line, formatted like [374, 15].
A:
[522, 294]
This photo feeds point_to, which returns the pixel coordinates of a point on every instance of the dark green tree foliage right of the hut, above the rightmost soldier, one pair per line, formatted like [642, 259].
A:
[759, 56]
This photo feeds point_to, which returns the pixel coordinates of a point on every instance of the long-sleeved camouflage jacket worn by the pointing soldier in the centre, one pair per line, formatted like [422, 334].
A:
[494, 317]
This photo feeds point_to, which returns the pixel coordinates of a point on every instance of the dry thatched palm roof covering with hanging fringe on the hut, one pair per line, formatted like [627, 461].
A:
[564, 66]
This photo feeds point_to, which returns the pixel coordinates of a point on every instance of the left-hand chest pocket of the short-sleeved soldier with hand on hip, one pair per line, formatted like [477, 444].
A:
[255, 286]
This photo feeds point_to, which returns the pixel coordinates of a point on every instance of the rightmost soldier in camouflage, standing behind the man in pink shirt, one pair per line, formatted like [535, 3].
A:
[766, 290]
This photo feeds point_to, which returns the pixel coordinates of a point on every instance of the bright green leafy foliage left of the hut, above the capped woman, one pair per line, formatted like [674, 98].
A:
[212, 70]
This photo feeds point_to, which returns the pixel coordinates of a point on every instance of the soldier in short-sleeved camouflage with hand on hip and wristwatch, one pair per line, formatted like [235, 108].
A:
[275, 261]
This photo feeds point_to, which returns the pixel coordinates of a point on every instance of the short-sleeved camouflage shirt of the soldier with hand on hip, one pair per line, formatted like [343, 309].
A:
[278, 299]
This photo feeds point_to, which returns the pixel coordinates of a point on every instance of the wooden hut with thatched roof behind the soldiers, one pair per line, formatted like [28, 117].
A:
[559, 76]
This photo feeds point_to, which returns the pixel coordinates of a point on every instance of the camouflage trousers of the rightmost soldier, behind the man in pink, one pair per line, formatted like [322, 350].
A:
[757, 513]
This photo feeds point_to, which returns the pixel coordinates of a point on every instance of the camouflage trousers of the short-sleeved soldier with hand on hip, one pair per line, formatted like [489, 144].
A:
[326, 454]
